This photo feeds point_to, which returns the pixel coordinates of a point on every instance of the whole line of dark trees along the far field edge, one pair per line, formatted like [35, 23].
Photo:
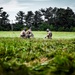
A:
[56, 19]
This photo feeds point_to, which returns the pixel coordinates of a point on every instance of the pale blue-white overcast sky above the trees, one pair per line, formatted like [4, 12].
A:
[14, 6]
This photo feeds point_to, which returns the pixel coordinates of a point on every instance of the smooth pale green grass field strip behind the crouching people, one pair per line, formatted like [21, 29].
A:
[40, 34]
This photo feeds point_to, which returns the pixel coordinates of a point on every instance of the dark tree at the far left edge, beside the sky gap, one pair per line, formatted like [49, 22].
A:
[4, 21]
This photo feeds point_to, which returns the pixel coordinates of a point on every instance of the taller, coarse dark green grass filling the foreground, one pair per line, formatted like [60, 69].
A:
[37, 57]
